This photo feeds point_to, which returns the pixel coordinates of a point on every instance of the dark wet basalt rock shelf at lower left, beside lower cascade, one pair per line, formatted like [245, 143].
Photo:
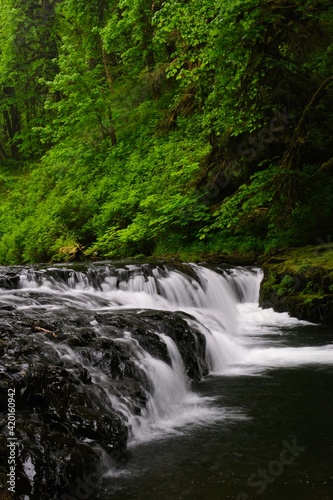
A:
[66, 425]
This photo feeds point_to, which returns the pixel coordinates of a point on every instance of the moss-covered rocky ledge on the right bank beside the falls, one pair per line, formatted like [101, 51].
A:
[300, 282]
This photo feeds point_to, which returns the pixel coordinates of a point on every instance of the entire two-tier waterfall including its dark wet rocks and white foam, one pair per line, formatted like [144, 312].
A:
[109, 357]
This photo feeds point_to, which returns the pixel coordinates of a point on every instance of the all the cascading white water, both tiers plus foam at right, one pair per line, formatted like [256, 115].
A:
[222, 305]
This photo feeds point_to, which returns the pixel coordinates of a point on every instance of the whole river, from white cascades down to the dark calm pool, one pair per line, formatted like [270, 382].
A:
[258, 424]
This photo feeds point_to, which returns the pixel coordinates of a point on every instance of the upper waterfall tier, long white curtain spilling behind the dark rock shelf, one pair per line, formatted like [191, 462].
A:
[211, 297]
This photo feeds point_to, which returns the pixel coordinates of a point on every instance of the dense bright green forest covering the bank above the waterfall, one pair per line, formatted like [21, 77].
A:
[176, 127]
